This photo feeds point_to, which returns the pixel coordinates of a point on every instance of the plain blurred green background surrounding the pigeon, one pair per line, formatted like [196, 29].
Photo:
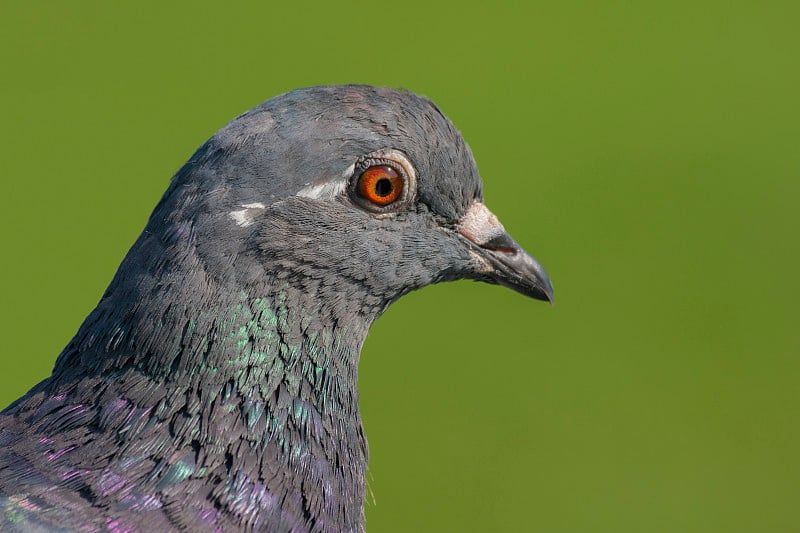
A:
[647, 153]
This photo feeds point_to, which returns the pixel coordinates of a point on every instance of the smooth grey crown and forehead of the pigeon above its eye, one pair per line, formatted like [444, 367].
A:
[309, 136]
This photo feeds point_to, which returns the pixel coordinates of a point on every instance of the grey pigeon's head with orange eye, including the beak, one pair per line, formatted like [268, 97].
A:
[355, 194]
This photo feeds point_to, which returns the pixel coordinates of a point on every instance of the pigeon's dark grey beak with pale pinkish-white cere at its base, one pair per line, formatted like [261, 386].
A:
[511, 266]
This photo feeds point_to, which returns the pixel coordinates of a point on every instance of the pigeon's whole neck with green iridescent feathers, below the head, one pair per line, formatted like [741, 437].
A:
[259, 394]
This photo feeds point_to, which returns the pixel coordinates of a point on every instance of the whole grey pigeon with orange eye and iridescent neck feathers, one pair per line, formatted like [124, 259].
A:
[214, 386]
